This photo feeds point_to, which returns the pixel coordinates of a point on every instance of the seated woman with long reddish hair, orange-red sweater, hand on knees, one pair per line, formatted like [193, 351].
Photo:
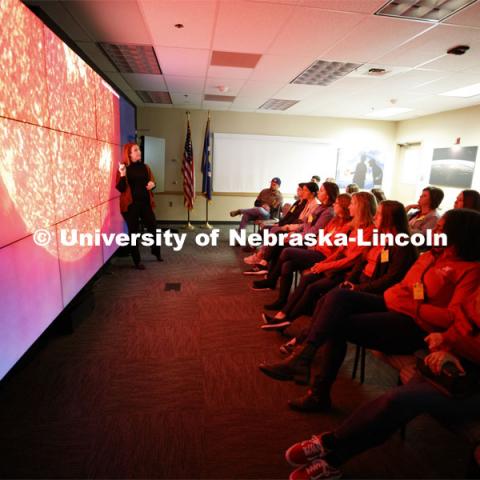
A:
[362, 210]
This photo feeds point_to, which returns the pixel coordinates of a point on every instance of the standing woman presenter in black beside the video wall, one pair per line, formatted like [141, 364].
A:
[135, 182]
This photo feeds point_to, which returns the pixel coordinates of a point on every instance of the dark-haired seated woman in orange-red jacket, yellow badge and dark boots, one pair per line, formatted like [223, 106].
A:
[425, 301]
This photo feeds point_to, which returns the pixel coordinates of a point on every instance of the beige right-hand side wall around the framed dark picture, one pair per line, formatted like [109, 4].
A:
[438, 131]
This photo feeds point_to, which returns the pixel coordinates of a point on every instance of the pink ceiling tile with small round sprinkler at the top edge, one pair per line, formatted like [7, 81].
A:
[197, 16]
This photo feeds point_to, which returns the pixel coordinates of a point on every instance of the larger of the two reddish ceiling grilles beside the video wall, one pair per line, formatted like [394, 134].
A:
[132, 58]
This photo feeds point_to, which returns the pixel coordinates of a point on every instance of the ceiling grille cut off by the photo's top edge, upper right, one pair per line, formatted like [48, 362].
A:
[427, 10]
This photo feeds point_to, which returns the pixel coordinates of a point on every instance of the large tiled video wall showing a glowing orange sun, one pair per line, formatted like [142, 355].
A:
[60, 148]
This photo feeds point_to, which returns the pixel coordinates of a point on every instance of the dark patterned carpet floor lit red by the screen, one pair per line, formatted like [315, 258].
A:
[165, 384]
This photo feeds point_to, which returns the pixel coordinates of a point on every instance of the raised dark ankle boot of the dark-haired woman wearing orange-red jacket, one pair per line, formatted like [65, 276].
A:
[296, 367]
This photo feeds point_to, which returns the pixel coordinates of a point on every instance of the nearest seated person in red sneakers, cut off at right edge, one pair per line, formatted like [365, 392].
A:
[376, 421]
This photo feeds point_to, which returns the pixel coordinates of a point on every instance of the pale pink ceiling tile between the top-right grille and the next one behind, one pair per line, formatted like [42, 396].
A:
[374, 37]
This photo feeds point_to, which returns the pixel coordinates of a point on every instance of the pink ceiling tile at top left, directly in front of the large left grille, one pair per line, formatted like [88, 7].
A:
[105, 21]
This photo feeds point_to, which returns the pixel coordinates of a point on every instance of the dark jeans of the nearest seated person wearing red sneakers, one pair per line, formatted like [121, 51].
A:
[374, 422]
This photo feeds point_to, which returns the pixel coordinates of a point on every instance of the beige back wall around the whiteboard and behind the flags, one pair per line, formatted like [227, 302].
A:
[171, 124]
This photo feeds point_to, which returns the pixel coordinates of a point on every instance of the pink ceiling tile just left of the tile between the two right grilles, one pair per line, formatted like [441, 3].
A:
[312, 32]
